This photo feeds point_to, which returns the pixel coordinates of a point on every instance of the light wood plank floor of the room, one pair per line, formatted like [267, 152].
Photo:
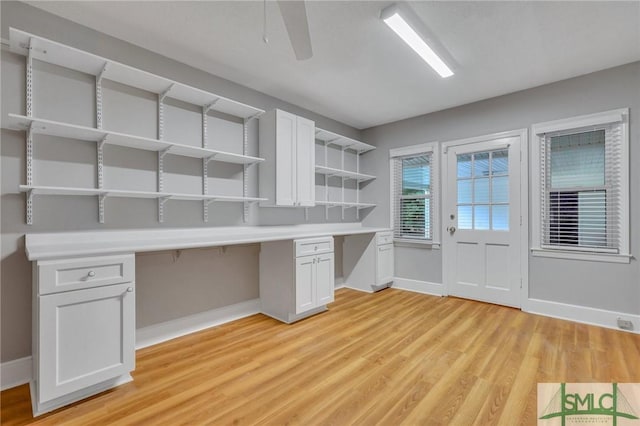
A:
[388, 358]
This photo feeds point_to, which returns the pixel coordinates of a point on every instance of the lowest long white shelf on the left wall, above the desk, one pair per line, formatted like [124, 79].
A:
[62, 190]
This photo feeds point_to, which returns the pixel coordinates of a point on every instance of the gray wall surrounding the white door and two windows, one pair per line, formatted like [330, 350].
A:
[593, 284]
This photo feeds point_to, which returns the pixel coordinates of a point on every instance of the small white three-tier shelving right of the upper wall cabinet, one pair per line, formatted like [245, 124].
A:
[344, 143]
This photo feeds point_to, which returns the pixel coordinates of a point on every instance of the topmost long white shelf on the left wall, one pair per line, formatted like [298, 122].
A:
[69, 57]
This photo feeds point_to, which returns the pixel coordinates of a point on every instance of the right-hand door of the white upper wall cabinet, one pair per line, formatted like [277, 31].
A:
[306, 159]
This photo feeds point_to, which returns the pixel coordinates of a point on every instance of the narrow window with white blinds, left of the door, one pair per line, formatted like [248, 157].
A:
[413, 197]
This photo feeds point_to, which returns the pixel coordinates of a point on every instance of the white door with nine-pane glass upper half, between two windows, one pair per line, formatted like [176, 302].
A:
[481, 220]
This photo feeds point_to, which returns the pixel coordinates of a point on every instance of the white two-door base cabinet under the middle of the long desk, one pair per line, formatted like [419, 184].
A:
[296, 277]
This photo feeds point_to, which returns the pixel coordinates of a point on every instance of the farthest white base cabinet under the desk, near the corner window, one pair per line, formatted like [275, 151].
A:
[368, 261]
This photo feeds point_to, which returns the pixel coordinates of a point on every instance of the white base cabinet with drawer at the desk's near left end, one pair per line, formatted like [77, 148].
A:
[84, 339]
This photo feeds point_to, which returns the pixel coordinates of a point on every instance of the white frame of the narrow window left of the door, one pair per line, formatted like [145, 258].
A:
[433, 149]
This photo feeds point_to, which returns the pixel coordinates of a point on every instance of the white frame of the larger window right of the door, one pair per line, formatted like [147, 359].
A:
[566, 125]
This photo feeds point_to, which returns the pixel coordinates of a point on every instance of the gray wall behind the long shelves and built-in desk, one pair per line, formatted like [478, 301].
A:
[168, 286]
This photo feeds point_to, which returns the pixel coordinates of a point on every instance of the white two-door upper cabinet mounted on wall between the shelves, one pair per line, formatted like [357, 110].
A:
[287, 176]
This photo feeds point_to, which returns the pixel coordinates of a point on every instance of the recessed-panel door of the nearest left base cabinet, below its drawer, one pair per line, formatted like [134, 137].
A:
[86, 337]
